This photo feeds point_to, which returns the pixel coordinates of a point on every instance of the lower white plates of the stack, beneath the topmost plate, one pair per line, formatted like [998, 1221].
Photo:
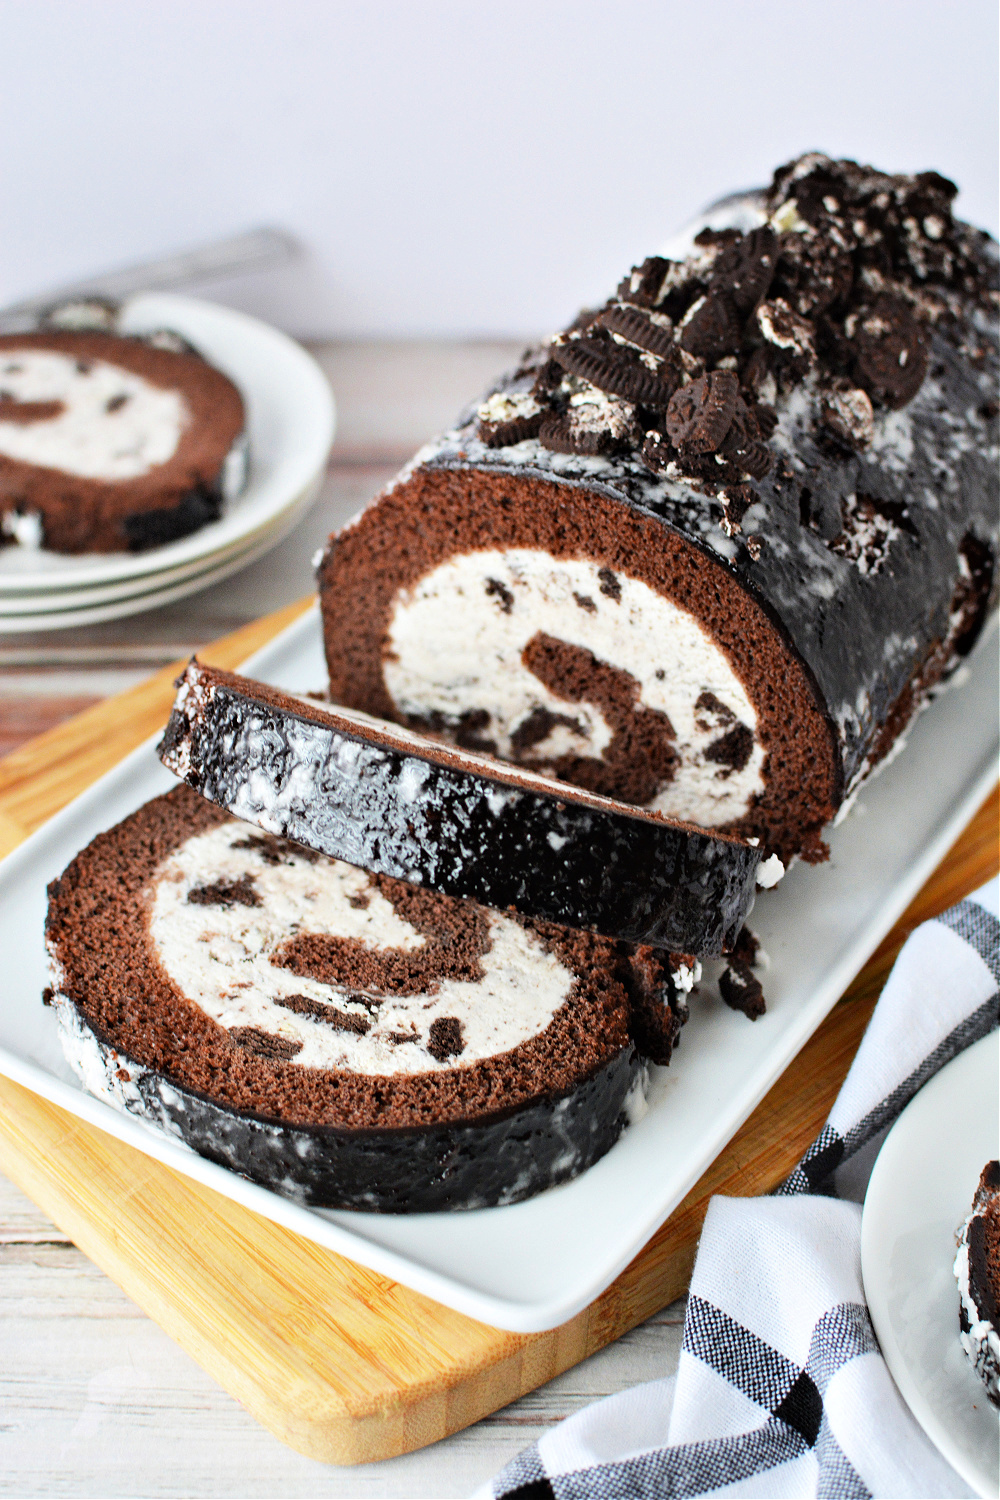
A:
[59, 611]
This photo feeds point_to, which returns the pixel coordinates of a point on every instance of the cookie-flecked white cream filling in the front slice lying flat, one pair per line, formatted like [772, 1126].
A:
[220, 958]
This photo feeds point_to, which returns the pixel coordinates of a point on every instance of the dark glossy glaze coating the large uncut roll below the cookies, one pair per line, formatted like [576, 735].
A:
[861, 635]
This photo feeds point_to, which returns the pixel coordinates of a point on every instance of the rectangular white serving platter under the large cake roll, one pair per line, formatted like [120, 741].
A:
[534, 1265]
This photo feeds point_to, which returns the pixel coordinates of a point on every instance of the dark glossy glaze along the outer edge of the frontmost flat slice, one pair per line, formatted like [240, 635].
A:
[472, 1165]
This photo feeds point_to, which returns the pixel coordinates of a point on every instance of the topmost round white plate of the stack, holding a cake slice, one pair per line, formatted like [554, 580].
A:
[290, 422]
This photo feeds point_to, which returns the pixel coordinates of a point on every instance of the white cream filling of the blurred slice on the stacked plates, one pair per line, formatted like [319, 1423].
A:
[115, 425]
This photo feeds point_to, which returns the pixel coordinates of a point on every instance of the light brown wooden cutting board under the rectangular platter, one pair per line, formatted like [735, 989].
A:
[341, 1363]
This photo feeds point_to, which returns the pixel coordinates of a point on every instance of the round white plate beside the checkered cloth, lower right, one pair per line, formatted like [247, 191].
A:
[920, 1193]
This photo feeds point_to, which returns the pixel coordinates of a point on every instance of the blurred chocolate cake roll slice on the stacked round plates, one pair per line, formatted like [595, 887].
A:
[113, 445]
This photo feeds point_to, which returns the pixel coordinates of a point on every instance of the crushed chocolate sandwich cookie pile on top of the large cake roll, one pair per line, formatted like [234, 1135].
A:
[836, 292]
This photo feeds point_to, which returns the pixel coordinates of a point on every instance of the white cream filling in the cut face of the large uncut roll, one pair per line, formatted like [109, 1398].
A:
[457, 641]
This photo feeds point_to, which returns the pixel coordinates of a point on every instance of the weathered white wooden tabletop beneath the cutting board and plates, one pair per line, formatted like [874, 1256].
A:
[95, 1399]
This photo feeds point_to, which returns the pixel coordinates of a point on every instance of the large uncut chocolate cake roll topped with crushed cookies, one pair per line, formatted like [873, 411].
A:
[714, 545]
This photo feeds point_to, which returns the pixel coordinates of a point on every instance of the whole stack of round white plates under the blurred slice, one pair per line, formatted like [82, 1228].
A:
[290, 422]
